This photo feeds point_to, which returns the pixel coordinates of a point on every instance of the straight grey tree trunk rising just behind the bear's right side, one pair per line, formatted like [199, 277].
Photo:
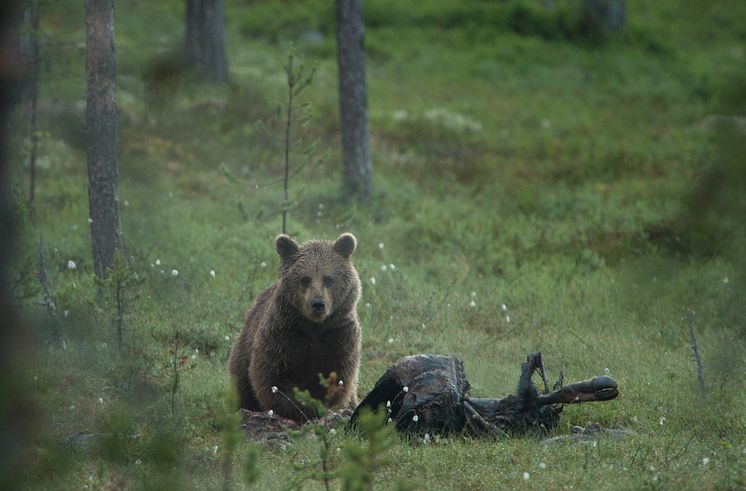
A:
[353, 104]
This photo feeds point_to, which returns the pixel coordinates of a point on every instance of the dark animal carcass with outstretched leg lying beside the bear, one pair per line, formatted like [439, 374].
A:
[429, 394]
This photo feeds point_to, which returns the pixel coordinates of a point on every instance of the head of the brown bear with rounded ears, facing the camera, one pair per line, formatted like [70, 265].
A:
[317, 278]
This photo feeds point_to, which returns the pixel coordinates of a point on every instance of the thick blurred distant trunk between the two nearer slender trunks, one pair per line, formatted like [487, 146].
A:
[205, 48]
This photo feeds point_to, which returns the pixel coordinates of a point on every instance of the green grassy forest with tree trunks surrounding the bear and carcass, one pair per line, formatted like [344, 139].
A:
[564, 176]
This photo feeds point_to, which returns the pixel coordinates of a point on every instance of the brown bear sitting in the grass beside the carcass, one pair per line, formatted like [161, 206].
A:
[303, 325]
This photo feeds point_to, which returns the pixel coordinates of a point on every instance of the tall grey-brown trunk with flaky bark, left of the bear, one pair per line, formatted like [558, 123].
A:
[101, 121]
